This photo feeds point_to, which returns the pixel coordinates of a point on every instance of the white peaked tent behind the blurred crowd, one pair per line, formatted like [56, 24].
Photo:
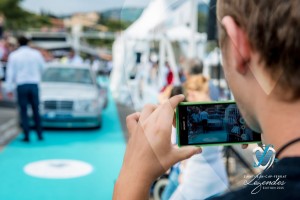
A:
[155, 24]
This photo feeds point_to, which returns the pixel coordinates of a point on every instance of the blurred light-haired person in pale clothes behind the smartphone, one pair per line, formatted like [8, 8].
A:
[202, 175]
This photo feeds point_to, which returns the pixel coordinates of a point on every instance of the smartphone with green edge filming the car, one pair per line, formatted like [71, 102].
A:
[213, 123]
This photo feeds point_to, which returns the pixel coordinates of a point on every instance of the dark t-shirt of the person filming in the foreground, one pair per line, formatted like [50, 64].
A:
[287, 170]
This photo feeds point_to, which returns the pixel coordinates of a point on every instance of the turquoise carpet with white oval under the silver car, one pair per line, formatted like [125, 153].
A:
[103, 149]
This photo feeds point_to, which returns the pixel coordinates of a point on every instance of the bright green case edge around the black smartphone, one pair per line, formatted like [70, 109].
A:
[203, 145]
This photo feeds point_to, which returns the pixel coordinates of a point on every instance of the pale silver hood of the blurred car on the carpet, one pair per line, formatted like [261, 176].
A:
[67, 91]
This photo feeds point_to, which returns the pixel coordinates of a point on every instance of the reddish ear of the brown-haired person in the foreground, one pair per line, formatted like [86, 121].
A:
[238, 43]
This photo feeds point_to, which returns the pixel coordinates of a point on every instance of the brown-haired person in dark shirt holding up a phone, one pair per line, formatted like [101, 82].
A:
[260, 47]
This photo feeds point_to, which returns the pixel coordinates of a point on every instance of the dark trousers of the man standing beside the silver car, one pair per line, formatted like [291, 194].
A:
[28, 94]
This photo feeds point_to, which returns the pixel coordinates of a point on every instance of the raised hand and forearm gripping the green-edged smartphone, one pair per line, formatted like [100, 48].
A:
[149, 151]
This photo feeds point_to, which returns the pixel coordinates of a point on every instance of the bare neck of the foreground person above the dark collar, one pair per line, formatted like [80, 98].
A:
[280, 122]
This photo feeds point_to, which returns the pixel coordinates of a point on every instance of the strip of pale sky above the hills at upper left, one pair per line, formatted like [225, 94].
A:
[70, 6]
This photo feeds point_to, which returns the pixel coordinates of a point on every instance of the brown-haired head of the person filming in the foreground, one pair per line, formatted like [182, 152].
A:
[260, 46]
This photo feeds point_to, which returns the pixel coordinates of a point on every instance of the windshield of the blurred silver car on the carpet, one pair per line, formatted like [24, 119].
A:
[67, 75]
